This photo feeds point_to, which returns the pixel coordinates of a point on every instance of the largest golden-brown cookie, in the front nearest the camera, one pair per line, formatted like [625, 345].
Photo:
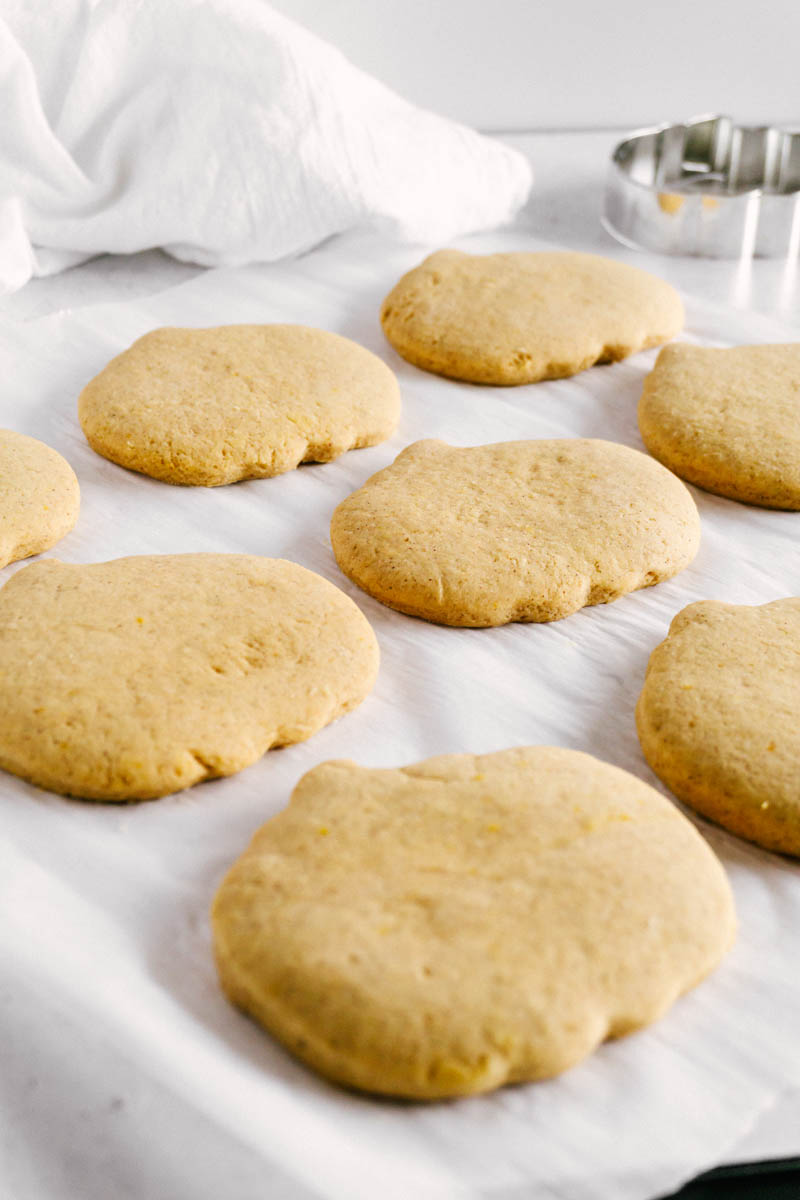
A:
[468, 922]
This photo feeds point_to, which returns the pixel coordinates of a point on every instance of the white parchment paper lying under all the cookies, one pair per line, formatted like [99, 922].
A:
[123, 1070]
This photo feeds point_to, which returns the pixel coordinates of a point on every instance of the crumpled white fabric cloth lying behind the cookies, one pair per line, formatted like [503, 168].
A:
[221, 131]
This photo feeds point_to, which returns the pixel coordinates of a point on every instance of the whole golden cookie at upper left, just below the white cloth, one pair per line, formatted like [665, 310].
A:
[215, 406]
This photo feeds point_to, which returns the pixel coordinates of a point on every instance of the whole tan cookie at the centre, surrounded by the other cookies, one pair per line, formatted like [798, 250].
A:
[518, 531]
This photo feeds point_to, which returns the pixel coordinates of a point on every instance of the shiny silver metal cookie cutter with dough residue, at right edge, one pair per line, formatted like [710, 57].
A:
[709, 188]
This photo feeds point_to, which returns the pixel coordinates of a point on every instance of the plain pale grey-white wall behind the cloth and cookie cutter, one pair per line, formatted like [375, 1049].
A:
[574, 64]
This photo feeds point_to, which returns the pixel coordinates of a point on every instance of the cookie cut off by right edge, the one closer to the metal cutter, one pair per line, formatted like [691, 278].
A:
[729, 421]
